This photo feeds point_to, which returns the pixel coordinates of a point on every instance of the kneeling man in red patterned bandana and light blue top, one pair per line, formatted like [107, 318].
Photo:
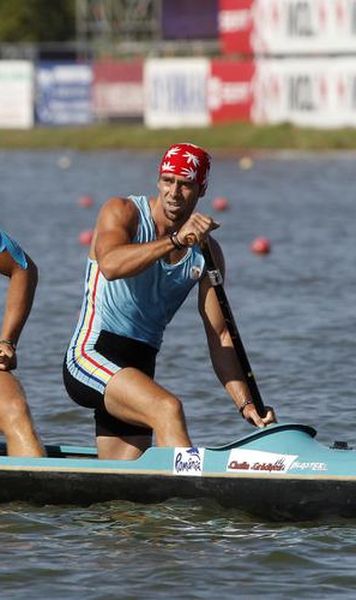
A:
[144, 259]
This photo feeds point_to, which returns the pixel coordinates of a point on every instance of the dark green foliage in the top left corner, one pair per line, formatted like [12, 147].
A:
[37, 20]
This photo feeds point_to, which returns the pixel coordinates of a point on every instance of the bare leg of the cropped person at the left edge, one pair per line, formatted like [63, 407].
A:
[15, 419]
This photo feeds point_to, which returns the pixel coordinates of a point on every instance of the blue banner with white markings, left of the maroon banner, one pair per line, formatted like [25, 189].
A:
[64, 94]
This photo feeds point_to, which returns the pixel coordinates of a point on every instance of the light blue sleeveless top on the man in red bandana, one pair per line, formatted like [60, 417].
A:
[141, 306]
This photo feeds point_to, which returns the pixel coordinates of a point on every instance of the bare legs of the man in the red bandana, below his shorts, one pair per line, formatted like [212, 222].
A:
[135, 398]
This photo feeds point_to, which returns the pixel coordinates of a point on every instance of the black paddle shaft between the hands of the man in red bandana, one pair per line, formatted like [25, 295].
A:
[217, 282]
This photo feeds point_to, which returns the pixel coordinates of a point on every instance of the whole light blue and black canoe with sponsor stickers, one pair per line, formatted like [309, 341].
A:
[281, 472]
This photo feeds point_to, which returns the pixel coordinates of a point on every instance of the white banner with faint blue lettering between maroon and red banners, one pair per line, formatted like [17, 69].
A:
[175, 92]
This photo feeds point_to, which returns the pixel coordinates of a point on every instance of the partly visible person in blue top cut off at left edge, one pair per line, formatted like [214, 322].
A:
[15, 418]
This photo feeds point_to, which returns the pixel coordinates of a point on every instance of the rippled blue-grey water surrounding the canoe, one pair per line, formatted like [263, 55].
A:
[295, 309]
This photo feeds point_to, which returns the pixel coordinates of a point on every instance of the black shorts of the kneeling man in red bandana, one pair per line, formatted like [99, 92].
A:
[123, 352]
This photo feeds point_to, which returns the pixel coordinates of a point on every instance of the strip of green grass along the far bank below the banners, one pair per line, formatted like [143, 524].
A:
[233, 137]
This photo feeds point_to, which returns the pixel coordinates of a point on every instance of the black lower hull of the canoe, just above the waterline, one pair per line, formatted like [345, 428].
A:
[276, 499]
